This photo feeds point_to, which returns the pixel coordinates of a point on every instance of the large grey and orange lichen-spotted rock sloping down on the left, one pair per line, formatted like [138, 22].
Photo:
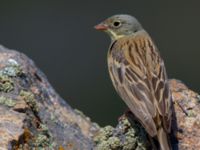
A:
[32, 115]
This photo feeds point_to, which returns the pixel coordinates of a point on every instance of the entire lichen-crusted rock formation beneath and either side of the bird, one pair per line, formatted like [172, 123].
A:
[34, 116]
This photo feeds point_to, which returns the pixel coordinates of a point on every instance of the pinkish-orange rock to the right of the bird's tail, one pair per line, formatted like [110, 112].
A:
[186, 122]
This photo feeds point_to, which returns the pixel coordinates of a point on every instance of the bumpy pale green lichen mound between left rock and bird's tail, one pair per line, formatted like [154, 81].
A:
[123, 137]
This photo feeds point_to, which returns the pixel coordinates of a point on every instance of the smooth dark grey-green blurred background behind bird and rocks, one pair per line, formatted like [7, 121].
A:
[59, 36]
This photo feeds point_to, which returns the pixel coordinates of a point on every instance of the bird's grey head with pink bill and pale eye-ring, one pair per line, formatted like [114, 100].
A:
[118, 26]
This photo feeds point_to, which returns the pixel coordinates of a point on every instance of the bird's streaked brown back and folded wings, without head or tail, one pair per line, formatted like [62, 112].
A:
[142, 87]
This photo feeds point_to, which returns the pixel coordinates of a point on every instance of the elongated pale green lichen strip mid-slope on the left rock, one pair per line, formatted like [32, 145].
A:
[29, 98]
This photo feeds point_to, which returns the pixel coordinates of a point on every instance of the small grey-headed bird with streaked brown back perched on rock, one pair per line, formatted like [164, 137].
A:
[138, 74]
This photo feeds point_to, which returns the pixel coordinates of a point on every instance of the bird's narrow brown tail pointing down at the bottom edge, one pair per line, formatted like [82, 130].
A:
[163, 139]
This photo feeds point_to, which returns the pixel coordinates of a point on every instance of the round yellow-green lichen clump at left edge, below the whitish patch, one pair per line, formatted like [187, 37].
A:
[6, 84]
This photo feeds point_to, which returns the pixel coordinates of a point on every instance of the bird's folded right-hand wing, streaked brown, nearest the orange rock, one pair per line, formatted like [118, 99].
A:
[159, 82]
